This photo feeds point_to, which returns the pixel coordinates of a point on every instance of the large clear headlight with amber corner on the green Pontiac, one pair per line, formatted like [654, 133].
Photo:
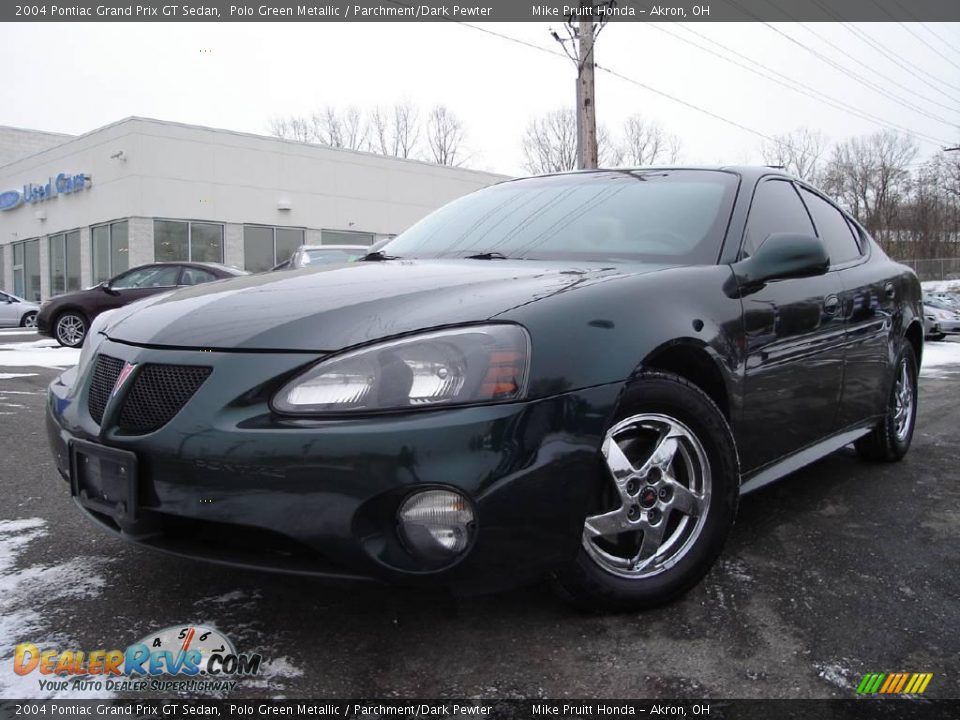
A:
[484, 363]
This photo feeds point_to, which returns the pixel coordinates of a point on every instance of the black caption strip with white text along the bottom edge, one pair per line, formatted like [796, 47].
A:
[579, 709]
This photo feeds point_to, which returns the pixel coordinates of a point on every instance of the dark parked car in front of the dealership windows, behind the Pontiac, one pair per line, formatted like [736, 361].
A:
[66, 318]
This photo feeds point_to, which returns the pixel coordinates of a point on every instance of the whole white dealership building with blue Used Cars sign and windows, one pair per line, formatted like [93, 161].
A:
[75, 211]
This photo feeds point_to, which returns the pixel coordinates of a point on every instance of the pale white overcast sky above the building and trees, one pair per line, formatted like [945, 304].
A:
[76, 77]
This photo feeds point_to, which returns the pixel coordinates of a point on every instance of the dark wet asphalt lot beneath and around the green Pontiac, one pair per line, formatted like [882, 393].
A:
[843, 568]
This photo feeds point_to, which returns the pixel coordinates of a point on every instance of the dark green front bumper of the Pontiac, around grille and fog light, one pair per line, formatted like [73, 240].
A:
[227, 480]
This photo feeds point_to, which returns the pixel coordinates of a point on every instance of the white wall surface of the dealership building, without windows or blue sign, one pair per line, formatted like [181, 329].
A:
[145, 169]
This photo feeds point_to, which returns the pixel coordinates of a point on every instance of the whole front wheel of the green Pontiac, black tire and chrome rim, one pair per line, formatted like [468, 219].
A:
[667, 495]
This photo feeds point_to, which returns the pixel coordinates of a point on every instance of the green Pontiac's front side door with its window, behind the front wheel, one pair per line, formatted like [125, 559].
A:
[794, 342]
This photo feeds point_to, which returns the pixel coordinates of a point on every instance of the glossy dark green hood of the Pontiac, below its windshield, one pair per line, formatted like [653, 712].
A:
[330, 308]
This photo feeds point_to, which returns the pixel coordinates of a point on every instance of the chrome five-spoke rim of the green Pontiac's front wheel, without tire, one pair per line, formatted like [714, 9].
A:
[661, 486]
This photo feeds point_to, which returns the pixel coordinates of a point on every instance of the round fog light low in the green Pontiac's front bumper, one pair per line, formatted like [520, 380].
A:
[436, 524]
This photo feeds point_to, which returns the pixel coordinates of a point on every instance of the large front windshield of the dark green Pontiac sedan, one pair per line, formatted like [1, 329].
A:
[668, 216]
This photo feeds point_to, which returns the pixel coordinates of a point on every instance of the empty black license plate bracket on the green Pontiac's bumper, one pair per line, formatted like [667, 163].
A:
[104, 479]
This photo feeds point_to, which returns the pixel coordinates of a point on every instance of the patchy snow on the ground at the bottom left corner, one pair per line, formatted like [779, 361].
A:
[30, 598]
